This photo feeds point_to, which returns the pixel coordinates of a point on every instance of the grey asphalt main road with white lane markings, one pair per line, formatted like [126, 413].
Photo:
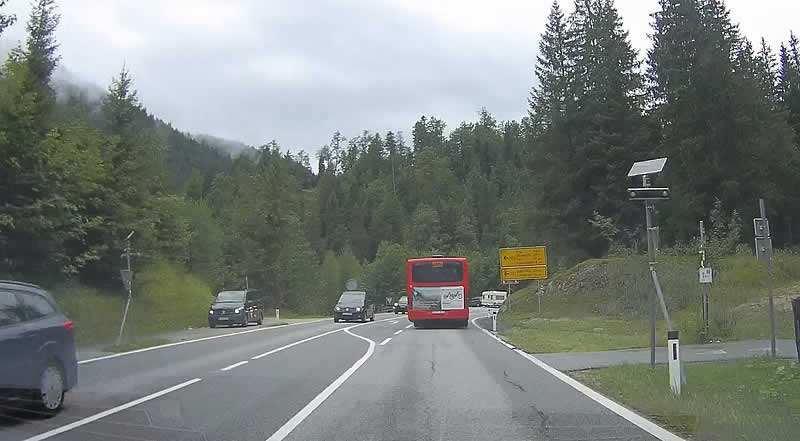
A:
[323, 381]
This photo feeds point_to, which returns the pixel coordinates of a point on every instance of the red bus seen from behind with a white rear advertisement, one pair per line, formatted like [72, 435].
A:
[438, 291]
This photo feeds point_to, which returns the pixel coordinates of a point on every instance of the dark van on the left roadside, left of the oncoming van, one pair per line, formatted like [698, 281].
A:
[237, 308]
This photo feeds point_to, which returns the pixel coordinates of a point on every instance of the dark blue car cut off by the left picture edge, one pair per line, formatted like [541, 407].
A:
[37, 346]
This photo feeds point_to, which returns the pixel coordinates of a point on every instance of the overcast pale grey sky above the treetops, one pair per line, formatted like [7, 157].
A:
[296, 71]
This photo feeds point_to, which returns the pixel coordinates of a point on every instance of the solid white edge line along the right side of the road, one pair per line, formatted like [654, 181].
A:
[643, 423]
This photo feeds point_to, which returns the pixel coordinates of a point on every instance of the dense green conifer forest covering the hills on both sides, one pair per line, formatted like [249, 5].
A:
[78, 175]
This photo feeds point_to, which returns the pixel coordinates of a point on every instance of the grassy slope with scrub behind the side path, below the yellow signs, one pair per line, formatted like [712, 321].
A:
[602, 304]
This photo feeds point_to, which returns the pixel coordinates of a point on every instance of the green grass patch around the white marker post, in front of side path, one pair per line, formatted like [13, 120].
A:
[754, 399]
